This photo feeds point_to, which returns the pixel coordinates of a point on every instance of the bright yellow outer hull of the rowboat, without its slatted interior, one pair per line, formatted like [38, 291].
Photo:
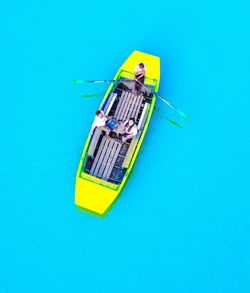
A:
[95, 194]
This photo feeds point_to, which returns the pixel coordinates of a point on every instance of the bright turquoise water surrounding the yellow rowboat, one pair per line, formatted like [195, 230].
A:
[182, 222]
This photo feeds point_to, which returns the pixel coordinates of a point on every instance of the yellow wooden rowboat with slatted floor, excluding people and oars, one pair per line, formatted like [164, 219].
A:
[105, 163]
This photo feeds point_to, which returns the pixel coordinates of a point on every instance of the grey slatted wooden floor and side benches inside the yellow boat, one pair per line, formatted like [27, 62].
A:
[108, 159]
